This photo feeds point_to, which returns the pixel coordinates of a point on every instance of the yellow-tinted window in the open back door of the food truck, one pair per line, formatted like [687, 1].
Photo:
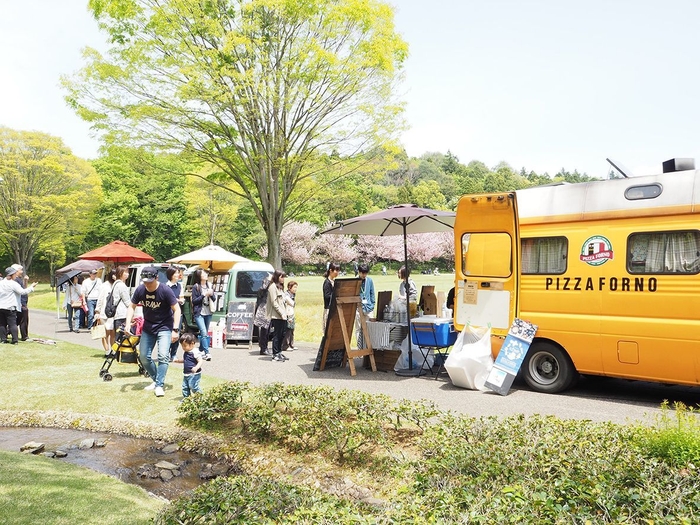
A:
[486, 254]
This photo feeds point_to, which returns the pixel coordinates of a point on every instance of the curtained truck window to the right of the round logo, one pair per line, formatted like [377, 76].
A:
[664, 252]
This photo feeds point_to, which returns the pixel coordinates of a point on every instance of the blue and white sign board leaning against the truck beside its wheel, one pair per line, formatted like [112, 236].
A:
[510, 358]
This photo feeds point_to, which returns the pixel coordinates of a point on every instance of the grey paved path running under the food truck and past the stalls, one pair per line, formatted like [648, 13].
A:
[597, 399]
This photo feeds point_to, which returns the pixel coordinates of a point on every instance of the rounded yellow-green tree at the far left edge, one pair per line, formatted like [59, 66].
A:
[47, 195]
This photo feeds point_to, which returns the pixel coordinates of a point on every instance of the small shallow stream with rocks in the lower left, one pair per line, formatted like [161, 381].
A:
[122, 457]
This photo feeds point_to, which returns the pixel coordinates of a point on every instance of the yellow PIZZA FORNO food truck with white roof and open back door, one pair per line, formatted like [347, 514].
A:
[609, 271]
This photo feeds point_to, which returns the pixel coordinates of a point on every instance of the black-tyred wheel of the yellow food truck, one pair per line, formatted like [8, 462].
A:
[547, 368]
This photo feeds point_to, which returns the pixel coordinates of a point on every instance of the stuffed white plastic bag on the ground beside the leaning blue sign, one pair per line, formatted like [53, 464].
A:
[469, 362]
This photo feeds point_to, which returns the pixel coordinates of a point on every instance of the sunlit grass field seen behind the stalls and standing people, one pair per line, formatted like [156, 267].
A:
[309, 306]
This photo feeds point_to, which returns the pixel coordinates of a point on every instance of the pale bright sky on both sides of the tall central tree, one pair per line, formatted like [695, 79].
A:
[540, 84]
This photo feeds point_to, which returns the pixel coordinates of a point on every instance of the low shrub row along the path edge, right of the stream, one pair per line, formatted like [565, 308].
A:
[346, 424]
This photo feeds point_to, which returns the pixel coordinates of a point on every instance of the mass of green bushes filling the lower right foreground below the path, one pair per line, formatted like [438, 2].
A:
[453, 469]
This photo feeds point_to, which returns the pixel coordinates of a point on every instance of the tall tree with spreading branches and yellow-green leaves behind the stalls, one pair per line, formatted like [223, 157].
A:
[257, 89]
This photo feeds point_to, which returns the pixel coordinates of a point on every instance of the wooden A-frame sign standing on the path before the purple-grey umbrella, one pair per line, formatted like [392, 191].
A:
[335, 347]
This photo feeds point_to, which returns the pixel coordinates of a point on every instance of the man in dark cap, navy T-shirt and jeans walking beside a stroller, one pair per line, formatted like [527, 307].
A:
[161, 316]
